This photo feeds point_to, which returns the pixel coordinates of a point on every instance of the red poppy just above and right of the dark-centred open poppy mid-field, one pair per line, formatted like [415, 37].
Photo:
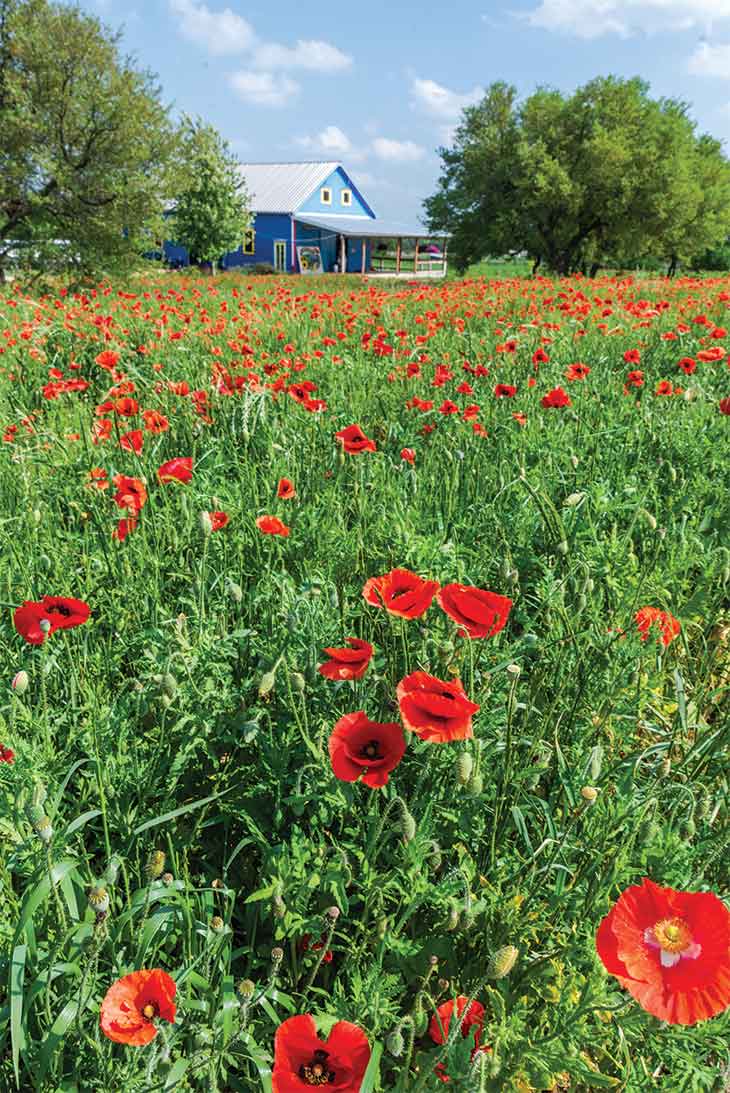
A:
[435, 710]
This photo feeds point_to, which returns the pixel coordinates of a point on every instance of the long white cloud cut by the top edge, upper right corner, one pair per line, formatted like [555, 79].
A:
[591, 19]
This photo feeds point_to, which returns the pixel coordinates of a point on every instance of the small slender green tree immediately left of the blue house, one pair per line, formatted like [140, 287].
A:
[211, 210]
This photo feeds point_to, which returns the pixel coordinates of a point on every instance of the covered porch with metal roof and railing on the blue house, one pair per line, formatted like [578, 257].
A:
[372, 248]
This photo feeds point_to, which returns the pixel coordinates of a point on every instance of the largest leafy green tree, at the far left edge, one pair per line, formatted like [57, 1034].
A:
[87, 148]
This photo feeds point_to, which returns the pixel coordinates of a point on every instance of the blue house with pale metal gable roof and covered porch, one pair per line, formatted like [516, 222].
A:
[311, 218]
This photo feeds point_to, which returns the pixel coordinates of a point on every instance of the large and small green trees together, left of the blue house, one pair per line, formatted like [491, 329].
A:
[92, 164]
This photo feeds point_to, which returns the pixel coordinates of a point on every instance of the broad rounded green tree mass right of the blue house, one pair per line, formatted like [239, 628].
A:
[572, 181]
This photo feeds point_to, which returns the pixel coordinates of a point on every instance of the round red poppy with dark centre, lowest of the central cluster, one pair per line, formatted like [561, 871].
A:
[363, 748]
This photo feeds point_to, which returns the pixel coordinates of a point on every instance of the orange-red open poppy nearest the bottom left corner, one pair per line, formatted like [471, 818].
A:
[133, 1004]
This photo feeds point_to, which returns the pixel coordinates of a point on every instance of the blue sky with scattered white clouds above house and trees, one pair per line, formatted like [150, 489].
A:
[380, 86]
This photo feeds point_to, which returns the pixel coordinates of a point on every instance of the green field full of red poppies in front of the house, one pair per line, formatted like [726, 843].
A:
[364, 695]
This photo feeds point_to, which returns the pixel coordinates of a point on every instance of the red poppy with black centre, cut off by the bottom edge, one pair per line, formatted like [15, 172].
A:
[303, 1061]
